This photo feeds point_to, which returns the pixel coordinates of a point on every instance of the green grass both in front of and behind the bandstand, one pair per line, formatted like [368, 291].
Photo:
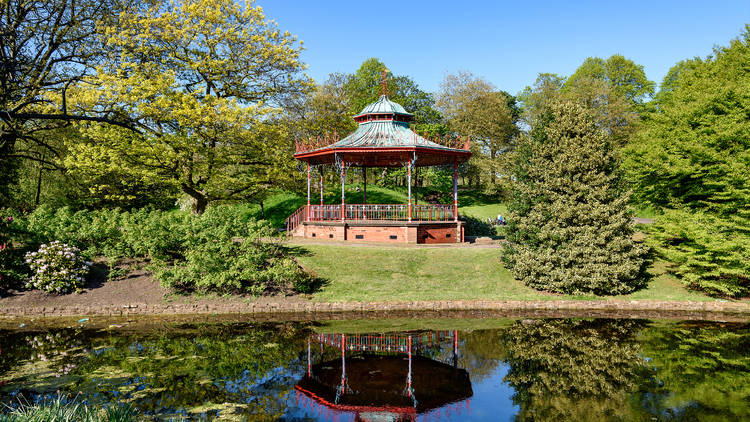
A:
[401, 273]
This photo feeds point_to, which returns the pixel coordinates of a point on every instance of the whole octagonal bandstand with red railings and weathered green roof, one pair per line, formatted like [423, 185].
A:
[383, 139]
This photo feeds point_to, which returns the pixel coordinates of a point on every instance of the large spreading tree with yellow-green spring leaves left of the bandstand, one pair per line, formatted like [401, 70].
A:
[200, 78]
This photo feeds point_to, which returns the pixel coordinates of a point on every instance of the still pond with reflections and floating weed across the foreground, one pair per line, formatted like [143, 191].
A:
[395, 370]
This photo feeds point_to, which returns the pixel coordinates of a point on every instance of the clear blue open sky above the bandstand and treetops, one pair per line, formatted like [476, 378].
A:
[506, 42]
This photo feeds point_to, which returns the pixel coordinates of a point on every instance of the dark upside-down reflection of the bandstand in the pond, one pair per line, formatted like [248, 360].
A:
[385, 377]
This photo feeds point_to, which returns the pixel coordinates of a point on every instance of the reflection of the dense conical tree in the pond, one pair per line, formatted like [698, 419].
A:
[573, 369]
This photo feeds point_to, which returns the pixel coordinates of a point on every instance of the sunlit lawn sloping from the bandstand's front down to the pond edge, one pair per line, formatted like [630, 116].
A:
[401, 273]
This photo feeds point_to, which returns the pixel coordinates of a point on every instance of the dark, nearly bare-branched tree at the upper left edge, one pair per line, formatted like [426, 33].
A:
[45, 47]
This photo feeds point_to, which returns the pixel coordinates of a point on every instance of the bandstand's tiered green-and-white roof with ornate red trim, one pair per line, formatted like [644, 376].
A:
[383, 139]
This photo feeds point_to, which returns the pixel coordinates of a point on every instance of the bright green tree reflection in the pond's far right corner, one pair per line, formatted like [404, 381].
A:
[702, 371]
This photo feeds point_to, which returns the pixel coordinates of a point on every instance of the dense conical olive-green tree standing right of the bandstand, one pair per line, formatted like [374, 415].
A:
[569, 229]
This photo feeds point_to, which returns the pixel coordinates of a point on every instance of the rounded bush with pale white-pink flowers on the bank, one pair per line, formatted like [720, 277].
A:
[57, 268]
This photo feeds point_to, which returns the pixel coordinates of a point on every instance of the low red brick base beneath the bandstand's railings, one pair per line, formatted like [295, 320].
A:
[414, 232]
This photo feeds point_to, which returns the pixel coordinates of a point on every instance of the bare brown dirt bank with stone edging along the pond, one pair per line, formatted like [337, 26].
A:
[140, 295]
